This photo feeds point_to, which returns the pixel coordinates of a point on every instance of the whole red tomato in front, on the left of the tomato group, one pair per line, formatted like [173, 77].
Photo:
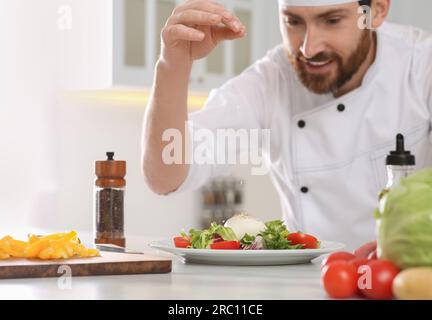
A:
[340, 279]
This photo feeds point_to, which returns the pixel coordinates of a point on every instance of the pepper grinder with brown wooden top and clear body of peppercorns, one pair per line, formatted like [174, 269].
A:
[109, 191]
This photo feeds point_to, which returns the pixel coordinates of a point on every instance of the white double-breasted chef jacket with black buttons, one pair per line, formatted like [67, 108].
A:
[339, 153]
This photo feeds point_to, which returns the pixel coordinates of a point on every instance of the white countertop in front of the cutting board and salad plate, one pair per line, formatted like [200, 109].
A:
[186, 281]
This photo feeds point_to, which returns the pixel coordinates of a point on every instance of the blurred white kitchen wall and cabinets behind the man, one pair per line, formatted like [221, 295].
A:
[75, 77]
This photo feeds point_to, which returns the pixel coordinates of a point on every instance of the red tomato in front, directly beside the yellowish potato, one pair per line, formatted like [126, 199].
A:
[378, 280]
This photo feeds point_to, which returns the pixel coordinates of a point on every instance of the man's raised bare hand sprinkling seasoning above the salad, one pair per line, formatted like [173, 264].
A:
[195, 28]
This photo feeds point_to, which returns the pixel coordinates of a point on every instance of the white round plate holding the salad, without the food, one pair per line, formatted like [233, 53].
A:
[248, 257]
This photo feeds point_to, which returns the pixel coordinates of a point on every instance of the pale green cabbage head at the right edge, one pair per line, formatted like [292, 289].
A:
[405, 226]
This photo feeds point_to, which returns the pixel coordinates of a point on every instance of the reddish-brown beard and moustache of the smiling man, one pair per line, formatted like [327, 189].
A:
[328, 83]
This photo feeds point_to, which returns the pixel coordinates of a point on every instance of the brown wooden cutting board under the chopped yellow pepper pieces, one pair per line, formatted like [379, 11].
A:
[109, 263]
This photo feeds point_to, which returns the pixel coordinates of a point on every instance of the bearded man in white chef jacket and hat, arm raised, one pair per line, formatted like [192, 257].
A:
[334, 95]
